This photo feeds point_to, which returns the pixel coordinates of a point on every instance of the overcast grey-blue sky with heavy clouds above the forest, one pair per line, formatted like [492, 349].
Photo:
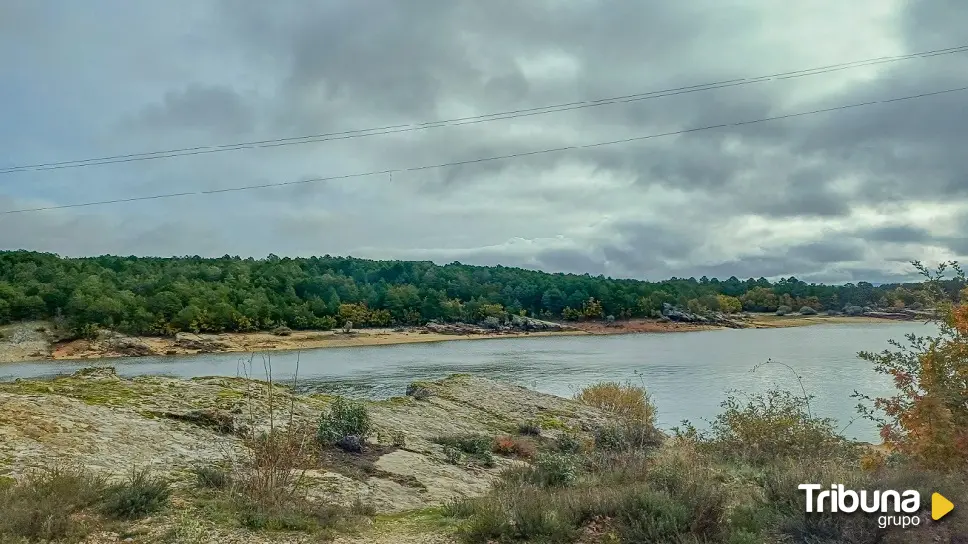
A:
[841, 196]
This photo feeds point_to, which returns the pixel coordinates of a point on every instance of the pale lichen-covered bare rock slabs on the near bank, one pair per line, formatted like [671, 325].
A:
[111, 423]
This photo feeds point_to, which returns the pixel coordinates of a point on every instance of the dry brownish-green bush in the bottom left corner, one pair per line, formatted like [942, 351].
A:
[43, 505]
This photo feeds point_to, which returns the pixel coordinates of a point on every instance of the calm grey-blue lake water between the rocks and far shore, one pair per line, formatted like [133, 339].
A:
[688, 374]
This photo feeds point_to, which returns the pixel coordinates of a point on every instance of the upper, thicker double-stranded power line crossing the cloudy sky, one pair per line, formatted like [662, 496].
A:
[512, 114]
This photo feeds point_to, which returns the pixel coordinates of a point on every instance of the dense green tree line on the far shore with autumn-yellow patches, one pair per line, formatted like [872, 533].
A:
[149, 295]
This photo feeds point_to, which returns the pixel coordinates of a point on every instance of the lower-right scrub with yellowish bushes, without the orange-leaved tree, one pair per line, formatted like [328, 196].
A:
[709, 487]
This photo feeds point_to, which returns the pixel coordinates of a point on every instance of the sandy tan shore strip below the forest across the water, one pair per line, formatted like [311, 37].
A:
[33, 341]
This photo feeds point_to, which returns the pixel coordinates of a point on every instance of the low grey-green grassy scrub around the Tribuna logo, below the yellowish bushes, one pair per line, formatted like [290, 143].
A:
[679, 494]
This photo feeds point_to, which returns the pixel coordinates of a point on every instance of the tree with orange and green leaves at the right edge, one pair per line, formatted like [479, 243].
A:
[927, 419]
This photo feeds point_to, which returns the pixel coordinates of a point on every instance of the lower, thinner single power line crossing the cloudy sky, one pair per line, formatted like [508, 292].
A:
[488, 159]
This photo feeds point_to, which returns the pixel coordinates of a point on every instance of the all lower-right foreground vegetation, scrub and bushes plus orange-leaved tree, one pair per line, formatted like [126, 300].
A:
[736, 481]
